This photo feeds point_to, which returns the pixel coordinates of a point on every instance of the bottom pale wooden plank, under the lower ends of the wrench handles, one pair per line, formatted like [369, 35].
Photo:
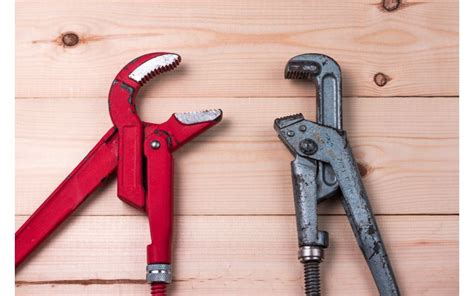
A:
[243, 255]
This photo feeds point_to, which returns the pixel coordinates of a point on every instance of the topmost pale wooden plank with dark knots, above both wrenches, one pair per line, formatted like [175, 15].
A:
[237, 48]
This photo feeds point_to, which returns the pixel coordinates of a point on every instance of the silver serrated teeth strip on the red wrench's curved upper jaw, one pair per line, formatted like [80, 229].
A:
[155, 66]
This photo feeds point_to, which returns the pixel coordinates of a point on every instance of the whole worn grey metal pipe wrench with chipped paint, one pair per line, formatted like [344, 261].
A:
[323, 165]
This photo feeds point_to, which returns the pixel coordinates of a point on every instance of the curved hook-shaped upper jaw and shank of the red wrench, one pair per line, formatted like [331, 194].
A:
[123, 113]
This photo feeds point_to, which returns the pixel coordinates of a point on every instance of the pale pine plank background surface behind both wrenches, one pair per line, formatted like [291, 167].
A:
[235, 227]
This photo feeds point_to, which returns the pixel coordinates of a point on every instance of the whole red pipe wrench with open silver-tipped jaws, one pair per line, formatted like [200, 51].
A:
[141, 153]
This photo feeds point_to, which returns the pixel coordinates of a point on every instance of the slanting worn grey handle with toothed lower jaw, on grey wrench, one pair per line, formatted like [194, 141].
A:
[321, 143]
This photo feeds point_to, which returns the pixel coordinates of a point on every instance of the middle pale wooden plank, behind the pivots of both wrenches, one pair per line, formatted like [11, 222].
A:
[409, 148]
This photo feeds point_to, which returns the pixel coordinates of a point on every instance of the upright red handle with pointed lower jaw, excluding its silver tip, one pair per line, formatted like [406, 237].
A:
[160, 141]
